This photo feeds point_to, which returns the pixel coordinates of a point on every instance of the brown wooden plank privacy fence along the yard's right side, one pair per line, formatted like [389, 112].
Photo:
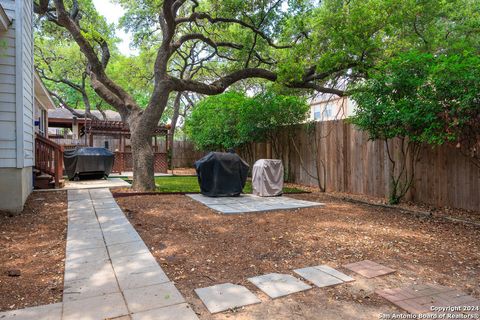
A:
[354, 164]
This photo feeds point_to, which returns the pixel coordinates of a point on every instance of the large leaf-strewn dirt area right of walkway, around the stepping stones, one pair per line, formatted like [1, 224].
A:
[198, 247]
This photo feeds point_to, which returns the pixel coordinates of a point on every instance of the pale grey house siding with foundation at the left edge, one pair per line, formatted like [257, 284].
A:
[16, 106]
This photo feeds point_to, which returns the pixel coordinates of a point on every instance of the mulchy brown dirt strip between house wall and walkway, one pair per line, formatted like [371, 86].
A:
[32, 252]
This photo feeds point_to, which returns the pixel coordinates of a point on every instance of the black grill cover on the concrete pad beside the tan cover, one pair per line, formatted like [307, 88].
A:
[221, 174]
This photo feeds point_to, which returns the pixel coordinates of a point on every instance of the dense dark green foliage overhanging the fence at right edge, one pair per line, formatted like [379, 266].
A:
[426, 98]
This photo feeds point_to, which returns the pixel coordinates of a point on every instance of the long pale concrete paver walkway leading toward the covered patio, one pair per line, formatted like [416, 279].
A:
[109, 271]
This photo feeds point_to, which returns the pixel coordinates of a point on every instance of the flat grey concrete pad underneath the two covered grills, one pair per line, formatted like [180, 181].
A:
[249, 203]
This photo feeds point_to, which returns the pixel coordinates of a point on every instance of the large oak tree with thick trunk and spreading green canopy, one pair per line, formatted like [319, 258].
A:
[299, 44]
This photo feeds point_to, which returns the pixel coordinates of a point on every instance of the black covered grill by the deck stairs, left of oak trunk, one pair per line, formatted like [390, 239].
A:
[91, 162]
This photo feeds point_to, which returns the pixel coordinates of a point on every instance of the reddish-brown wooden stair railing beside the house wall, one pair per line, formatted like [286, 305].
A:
[49, 158]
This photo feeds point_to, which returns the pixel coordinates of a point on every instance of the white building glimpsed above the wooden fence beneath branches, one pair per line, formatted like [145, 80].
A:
[327, 107]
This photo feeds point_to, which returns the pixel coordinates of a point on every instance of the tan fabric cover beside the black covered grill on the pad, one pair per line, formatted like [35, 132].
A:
[267, 178]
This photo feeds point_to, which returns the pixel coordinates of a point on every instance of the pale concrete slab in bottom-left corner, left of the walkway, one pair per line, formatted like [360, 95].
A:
[46, 312]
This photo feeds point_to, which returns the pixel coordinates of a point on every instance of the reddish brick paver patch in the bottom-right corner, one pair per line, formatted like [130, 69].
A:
[424, 298]
